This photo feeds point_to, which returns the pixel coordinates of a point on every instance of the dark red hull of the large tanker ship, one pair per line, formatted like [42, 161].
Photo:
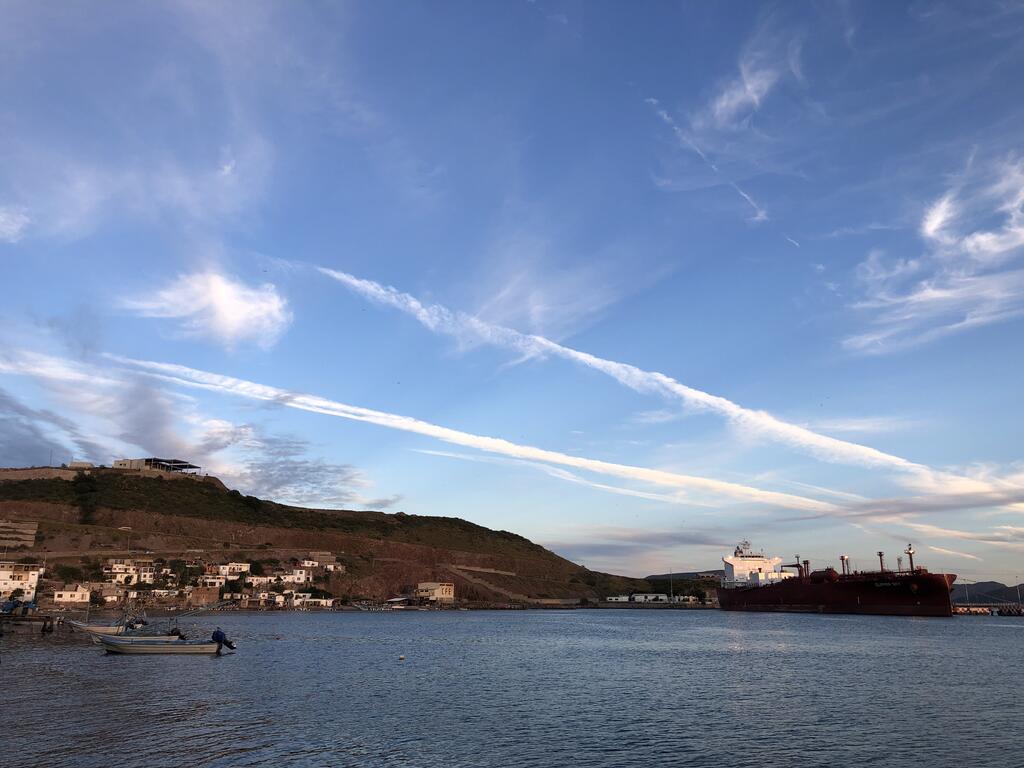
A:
[918, 594]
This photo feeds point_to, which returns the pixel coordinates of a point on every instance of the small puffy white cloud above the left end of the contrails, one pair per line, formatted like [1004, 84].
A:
[219, 308]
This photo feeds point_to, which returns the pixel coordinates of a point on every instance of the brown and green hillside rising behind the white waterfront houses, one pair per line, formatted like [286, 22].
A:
[82, 519]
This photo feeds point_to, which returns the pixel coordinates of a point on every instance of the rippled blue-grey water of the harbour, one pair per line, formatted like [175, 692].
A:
[530, 689]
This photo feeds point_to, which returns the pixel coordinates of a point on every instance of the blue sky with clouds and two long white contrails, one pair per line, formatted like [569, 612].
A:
[637, 282]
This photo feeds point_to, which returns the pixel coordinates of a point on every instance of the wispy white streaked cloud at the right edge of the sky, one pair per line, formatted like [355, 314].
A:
[968, 275]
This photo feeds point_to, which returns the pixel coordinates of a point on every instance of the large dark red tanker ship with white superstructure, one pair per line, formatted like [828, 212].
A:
[753, 582]
